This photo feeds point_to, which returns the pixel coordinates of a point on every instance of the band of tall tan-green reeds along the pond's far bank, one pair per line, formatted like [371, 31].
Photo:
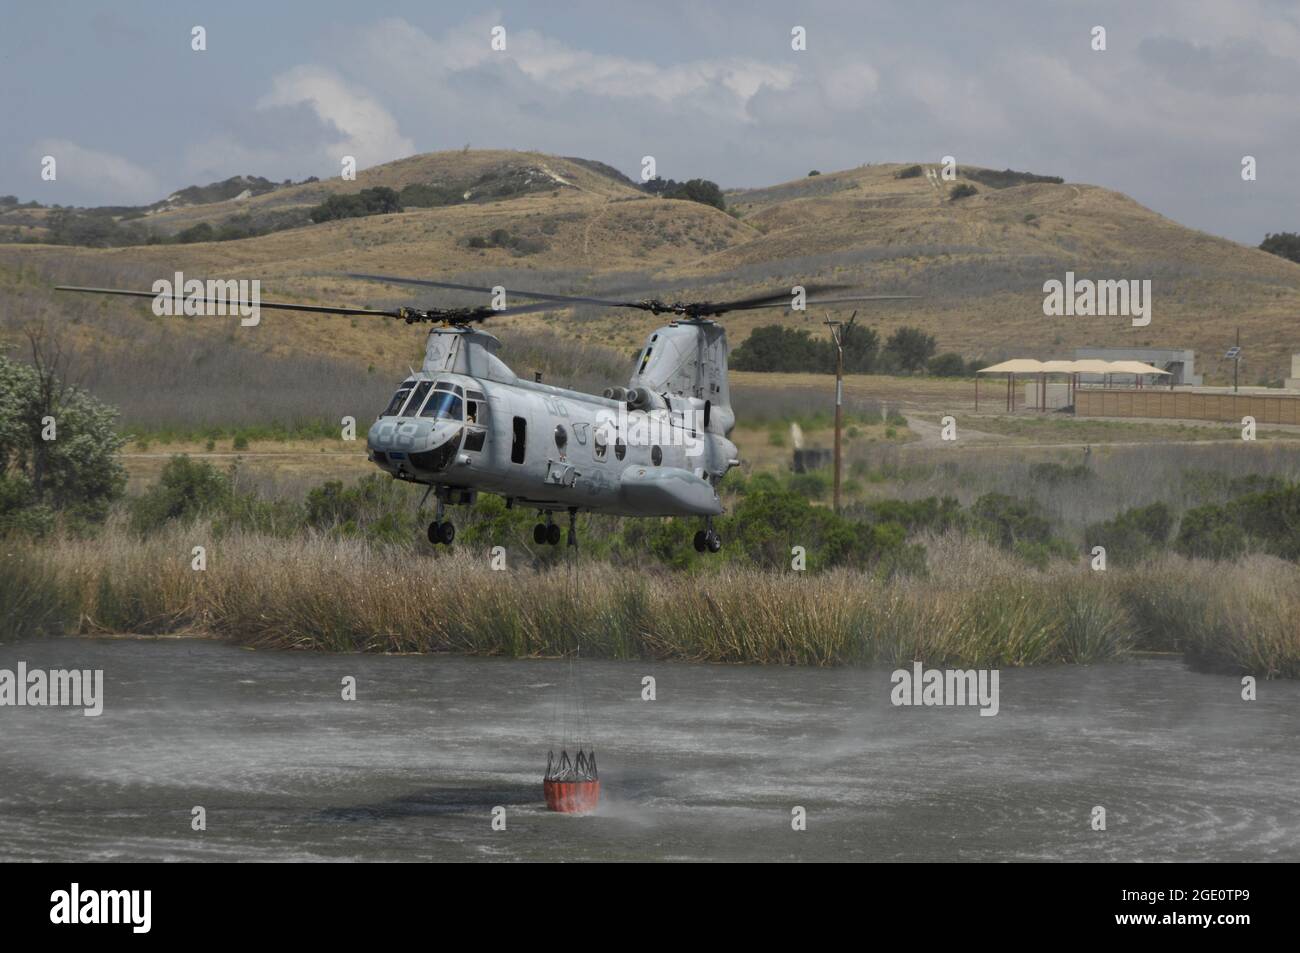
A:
[976, 607]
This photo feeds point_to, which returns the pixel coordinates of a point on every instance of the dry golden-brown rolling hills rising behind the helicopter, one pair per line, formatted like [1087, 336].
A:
[554, 224]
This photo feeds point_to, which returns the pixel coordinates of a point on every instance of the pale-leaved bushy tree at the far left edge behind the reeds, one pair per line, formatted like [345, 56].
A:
[58, 444]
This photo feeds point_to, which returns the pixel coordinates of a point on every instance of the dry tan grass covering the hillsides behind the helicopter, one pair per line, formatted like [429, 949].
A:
[980, 266]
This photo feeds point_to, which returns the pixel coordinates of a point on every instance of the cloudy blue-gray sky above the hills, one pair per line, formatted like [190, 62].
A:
[1167, 112]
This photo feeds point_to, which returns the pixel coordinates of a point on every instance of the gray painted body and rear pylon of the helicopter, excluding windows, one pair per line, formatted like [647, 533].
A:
[686, 370]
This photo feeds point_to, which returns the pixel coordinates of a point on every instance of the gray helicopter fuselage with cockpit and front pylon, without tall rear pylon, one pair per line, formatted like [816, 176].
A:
[544, 447]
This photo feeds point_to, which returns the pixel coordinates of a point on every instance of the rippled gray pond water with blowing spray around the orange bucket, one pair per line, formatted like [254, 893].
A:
[411, 770]
